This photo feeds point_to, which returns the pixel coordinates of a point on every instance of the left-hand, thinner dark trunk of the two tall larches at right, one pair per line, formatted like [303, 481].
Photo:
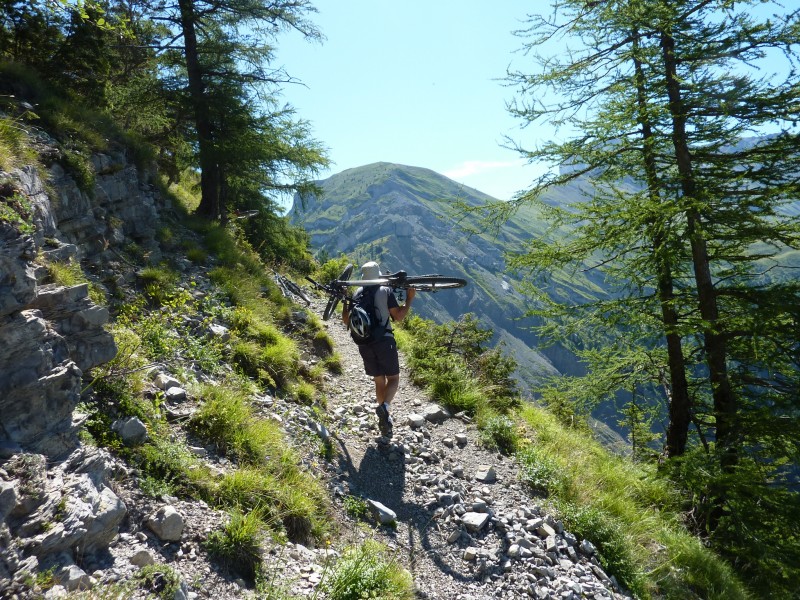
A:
[679, 404]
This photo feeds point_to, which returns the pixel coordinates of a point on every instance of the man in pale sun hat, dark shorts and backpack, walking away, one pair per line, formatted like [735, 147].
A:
[379, 354]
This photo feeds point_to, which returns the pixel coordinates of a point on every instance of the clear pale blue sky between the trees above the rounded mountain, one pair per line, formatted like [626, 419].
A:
[417, 83]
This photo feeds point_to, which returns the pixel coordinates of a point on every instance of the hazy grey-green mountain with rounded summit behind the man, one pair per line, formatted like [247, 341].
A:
[406, 218]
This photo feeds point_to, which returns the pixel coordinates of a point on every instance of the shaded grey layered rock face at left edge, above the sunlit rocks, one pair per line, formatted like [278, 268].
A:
[50, 335]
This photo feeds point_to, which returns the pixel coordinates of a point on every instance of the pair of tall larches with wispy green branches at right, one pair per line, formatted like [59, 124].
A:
[680, 121]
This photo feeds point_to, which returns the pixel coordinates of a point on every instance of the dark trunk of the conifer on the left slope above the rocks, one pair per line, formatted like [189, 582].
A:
[210, 205]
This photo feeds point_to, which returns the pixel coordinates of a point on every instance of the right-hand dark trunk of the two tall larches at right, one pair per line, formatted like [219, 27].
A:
[714, 341]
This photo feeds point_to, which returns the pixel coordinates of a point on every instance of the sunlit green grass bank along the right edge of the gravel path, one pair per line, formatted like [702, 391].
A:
[622, 507]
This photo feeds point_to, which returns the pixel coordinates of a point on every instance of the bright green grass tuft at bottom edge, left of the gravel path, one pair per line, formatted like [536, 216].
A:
[367, 572]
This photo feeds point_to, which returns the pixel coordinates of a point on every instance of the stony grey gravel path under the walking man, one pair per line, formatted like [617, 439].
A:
[462, 521]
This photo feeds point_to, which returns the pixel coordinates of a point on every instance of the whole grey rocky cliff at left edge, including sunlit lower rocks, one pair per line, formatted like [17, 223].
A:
[49, 336]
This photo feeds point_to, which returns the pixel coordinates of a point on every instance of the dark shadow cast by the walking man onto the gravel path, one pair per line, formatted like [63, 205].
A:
[382, 477]
